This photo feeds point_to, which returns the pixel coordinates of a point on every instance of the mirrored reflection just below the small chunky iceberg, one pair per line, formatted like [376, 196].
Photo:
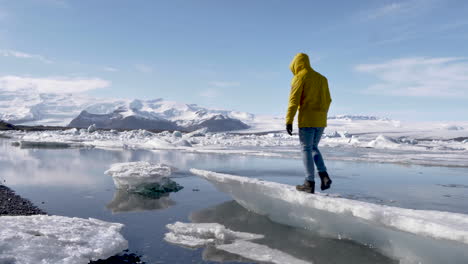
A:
[134, 202]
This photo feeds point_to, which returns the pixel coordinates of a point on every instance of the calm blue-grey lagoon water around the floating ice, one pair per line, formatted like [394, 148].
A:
[71, 182]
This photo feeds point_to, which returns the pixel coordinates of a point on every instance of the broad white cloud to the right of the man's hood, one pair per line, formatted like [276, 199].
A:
[419, 76]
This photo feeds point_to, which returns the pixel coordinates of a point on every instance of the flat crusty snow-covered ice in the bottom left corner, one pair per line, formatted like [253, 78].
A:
[58, 239]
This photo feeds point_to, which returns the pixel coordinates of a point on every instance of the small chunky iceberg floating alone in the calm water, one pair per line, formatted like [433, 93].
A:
[143, 177]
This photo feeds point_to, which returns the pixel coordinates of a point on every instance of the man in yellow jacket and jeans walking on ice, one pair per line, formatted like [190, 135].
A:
[309, 94]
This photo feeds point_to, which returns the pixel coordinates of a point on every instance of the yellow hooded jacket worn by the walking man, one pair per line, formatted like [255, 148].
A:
[309, 94]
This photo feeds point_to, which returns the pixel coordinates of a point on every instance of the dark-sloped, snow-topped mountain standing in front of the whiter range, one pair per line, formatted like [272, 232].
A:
[163, 115]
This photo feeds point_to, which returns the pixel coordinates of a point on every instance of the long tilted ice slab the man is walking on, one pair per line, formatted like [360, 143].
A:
[411, 236]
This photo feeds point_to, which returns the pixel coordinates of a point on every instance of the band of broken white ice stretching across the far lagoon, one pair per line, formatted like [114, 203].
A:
[375, 140]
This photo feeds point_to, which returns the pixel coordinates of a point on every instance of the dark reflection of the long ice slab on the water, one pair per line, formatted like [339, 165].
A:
[299, 243]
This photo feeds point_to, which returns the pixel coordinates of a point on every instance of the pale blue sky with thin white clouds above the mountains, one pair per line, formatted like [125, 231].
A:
[405, 60]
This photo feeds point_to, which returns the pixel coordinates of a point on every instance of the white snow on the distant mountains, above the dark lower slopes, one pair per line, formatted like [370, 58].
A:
[30, 107]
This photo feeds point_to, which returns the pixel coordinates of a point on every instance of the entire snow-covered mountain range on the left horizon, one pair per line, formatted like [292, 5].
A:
[77, 110]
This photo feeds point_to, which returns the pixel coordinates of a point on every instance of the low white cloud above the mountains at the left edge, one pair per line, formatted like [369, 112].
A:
[51, 84]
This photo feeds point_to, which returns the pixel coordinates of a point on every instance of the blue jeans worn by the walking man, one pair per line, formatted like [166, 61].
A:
[309, 138]
